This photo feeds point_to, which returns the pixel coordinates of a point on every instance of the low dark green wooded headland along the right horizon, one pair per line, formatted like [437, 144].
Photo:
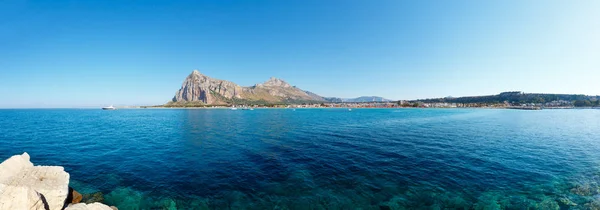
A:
[513, 97]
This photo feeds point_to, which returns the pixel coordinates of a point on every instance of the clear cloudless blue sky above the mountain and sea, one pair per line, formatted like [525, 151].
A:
[101, 52]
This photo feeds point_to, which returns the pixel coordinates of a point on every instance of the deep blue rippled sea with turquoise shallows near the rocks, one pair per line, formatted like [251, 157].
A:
[318, 158]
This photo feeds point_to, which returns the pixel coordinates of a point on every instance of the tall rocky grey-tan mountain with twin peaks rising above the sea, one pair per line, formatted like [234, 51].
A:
[201, 89]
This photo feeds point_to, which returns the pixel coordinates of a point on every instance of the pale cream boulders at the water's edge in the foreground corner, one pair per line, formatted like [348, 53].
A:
[24, 186]
